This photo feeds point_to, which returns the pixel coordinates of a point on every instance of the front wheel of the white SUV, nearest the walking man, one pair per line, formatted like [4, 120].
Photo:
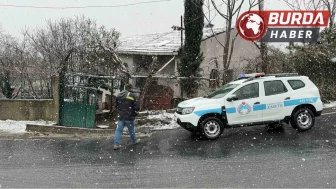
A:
[211, 128]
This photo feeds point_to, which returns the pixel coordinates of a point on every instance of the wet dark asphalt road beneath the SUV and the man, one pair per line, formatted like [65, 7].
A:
[251, 157]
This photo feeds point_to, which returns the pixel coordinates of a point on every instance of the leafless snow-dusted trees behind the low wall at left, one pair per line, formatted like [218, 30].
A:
[68, 45]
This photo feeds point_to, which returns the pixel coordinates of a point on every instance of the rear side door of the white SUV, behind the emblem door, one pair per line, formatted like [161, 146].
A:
[275, 93]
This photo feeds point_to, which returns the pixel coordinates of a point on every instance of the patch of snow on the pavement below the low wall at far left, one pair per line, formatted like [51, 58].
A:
[12, 126]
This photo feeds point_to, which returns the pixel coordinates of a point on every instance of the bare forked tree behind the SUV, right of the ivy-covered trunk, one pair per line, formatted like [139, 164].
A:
[230, 15]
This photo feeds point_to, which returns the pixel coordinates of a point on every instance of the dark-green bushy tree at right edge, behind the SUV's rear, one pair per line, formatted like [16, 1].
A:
[315, 61]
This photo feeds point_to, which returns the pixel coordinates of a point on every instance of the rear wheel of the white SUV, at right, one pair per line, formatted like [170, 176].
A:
[303, 119]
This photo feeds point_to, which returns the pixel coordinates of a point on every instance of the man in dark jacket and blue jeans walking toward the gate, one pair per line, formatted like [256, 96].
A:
[127, 107]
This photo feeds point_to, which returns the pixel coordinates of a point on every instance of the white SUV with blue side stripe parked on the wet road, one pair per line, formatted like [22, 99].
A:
[253, 99]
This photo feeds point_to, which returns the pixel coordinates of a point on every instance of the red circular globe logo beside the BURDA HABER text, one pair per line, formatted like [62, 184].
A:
[251, 26]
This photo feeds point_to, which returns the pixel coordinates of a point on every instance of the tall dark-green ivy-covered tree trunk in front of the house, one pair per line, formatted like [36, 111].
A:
[191, 51]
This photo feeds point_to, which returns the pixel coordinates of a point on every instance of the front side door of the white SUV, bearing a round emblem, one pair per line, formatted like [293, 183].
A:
[243, 109]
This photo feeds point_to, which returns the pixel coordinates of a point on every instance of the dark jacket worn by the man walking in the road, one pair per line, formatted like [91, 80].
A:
[127, 105]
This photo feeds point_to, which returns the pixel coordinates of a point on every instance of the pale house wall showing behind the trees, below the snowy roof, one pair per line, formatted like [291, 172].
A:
[211, 49]
